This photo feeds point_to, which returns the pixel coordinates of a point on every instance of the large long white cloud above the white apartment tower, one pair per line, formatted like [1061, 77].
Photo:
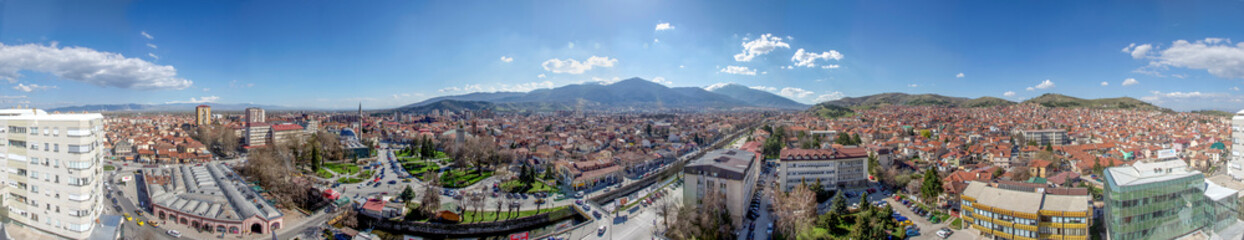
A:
[88, 65]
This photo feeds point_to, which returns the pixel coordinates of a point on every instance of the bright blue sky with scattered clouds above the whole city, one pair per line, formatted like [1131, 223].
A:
[386, 54]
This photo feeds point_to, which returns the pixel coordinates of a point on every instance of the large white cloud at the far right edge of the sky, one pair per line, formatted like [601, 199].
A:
[1217, 57]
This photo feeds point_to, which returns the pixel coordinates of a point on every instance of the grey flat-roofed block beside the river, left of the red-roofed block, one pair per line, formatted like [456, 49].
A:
[726, 175]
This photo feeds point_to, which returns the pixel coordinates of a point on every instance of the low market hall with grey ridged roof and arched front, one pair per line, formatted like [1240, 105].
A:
[211, 198]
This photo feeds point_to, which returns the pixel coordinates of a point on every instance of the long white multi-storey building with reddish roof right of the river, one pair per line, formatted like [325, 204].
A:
[834, 167]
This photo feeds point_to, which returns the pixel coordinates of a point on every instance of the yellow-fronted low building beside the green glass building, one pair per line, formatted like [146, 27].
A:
[1017, 211]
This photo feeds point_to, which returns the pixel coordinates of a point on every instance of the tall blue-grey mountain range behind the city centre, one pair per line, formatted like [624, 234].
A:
[634, 94]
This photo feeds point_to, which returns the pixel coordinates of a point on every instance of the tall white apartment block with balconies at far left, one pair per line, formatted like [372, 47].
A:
[54, 171]
